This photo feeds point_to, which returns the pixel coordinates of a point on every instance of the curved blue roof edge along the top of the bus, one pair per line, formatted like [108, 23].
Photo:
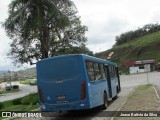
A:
[83, 55]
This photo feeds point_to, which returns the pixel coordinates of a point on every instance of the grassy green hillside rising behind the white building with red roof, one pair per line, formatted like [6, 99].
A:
[143, 48]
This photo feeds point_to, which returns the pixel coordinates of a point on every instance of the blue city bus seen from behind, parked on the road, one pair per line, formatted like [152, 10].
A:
[76, 82]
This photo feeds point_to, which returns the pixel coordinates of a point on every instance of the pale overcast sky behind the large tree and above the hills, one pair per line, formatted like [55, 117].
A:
[105, 20]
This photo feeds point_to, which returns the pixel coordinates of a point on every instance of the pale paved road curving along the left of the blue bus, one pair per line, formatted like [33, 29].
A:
[25, 90]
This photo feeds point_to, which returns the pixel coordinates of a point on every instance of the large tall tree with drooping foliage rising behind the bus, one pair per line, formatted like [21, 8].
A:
[39, 28]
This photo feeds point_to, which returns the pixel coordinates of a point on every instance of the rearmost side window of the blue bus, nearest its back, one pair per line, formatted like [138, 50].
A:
[90, 70]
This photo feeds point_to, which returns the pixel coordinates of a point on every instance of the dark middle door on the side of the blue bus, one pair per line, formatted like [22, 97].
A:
[108, 80]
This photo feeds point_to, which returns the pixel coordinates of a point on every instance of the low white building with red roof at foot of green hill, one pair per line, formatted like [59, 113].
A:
[140, 66]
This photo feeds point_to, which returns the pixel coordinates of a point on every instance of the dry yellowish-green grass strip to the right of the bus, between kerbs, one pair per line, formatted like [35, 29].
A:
[142, 99]
